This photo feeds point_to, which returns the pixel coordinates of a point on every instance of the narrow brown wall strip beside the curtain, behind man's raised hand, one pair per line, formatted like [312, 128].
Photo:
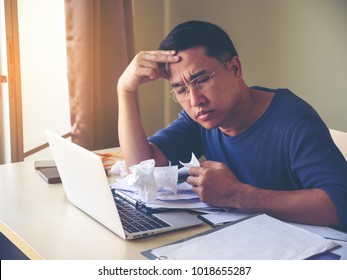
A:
[151, 24]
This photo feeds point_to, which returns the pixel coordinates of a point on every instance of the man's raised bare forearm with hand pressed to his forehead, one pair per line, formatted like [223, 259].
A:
[133, 141]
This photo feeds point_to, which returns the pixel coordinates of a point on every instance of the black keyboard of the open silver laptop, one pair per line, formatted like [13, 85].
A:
[134, 220]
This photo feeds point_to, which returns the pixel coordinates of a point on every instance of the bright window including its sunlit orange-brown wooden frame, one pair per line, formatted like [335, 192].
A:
[41, 87]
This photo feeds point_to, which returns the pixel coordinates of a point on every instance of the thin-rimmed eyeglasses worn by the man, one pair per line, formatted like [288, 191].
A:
[200, 83]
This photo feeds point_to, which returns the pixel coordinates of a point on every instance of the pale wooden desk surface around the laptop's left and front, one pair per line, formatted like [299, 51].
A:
[38, 219]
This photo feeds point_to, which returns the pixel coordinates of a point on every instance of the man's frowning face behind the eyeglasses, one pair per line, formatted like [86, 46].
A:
[216, 105]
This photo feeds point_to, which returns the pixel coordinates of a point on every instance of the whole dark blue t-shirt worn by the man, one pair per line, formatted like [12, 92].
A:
[288, 148]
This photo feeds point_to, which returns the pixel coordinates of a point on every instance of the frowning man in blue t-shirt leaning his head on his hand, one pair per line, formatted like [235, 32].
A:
[267, 150]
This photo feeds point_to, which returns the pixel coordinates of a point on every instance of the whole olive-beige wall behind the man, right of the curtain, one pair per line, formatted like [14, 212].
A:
[295, 44]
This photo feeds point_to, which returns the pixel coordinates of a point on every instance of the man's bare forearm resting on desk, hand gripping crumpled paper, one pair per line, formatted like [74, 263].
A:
[218, 186]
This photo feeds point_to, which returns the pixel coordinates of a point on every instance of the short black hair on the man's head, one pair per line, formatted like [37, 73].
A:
[211, 37]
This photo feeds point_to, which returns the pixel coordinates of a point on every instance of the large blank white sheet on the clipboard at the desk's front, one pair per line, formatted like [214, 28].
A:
[258, 238]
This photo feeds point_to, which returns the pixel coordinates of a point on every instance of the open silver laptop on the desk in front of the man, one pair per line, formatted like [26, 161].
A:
[86, 186]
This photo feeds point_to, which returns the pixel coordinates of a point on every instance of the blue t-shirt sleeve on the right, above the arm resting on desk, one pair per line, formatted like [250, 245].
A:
[318, 163]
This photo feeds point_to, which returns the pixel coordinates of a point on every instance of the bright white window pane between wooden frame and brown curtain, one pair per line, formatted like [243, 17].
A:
[43, 69]
